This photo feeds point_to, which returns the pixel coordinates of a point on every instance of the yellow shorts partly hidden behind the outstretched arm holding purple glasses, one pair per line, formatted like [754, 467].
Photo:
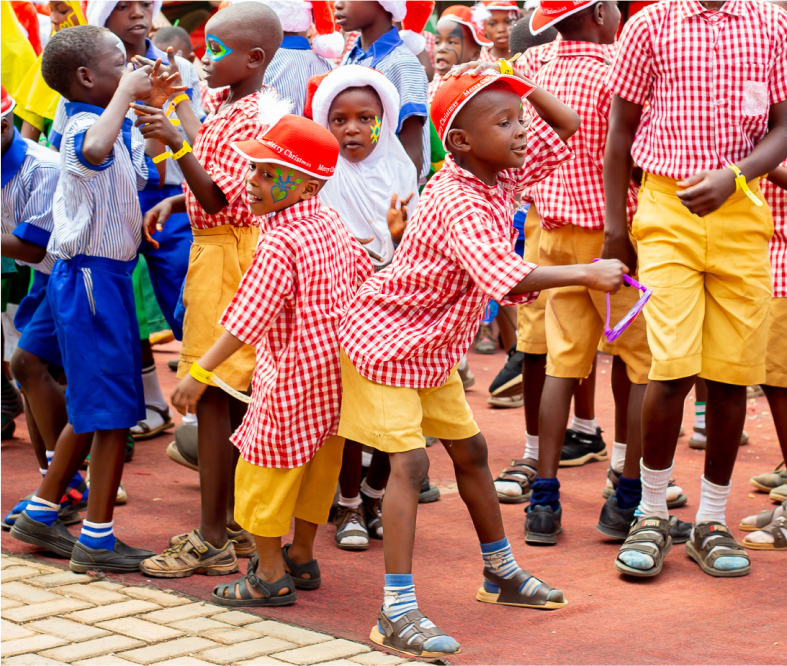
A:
[575, 315]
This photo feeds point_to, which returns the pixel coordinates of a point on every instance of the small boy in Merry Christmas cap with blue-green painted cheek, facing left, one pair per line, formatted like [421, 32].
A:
[289, 304]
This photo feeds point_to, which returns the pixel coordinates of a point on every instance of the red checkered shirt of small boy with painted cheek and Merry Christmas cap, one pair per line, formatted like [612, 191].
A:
[303, 278]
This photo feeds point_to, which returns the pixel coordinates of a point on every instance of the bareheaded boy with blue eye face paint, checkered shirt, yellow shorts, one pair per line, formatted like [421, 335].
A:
[240, 42]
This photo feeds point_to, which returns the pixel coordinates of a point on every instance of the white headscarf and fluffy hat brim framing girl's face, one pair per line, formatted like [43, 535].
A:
[361, 192]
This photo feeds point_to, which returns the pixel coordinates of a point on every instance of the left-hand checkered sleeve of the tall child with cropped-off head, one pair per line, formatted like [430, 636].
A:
[630, 74]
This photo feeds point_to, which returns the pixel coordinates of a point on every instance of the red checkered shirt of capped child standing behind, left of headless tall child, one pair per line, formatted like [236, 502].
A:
[575, 72]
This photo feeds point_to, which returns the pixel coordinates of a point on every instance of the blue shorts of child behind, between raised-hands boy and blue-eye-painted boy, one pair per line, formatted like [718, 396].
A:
[168, 264]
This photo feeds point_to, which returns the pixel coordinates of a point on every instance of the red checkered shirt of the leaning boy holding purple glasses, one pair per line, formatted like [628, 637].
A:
[412, 322]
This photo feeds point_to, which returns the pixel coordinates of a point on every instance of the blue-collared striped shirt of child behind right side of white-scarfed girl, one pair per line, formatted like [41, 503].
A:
[390, 56]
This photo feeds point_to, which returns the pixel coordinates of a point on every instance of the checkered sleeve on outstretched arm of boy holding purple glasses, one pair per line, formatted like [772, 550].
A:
[489, 258]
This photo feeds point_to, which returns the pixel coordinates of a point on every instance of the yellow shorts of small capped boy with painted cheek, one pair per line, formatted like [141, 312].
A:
[268, 498]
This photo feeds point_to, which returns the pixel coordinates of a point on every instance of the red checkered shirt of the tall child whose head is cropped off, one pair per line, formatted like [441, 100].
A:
[709, 78]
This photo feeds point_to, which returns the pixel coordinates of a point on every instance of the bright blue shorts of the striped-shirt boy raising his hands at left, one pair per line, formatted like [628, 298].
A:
[92, 299]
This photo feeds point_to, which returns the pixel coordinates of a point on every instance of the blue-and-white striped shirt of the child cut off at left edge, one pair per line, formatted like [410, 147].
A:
[29, 177]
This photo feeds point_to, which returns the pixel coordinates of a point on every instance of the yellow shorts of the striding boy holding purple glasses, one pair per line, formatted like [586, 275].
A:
[396, 419]
